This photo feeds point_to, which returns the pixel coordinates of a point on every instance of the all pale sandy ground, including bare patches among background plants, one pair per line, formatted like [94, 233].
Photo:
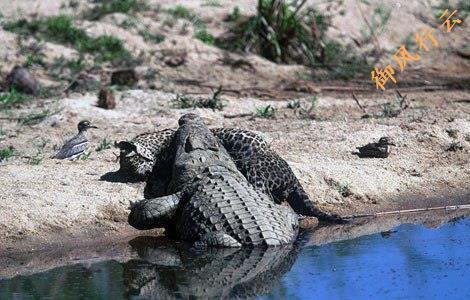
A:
[76, 201]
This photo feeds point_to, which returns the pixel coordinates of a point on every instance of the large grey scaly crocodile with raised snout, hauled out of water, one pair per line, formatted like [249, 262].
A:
[211, 203]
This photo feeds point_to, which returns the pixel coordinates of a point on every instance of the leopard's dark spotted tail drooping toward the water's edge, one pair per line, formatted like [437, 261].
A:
[301, 204]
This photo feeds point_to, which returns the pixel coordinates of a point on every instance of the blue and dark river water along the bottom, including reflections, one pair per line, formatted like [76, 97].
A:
[411, 262]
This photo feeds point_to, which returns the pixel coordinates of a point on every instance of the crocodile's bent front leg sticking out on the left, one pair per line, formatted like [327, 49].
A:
[153, 213]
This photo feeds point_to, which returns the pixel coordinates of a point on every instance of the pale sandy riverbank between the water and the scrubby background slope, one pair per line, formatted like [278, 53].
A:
[39, 201]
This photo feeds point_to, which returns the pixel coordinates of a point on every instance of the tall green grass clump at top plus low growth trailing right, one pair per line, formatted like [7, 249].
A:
[289, 33]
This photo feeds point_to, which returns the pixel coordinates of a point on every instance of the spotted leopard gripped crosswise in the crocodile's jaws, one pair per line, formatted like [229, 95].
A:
[261, 165]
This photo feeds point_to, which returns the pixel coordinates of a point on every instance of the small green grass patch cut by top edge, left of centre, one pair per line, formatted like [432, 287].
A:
[105, 7]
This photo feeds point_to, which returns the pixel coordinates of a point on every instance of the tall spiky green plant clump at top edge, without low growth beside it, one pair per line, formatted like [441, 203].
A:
[280, 32]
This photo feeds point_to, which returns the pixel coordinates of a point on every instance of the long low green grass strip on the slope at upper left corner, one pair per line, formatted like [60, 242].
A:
[60, 29]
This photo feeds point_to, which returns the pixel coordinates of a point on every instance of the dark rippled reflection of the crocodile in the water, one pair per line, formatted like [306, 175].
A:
[167, 272]
